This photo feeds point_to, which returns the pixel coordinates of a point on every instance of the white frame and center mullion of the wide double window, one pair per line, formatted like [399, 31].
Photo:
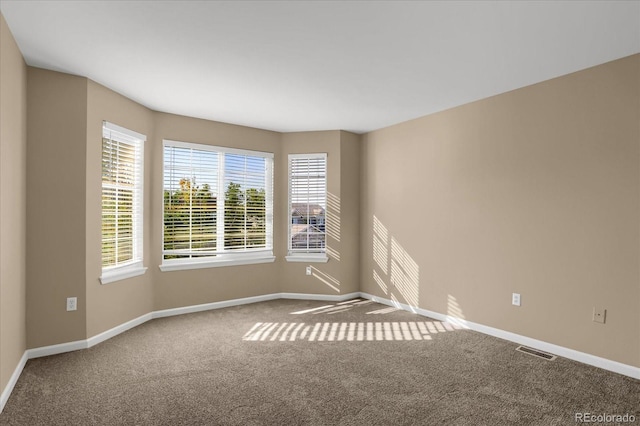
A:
[225, 257]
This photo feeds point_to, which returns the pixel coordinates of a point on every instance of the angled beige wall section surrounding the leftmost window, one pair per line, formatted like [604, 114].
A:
[118, 302]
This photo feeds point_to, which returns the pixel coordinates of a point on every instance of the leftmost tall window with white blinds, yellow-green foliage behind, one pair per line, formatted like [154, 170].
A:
[122, 202]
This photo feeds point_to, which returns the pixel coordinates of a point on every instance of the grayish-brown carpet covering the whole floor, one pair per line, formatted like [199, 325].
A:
[287, 362]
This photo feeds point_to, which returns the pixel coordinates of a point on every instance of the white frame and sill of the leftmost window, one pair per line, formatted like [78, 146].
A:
[134, 266]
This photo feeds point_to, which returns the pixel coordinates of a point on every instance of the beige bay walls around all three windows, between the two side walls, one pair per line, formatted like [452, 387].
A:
[59, 121]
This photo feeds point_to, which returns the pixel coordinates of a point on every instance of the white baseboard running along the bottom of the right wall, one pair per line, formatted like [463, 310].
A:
[585, 358]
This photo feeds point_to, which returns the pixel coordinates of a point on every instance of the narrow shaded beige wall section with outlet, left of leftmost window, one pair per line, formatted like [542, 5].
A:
[56, 202]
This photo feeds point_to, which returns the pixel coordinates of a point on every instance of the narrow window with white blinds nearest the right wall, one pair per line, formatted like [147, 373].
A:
[307, 205]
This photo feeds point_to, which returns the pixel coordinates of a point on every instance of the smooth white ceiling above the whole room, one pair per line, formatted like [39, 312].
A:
[298, 66]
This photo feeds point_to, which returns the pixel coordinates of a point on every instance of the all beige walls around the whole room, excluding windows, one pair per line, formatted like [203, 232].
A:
[535, 191]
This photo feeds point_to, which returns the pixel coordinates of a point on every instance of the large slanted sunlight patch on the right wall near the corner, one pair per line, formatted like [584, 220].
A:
[395, 271]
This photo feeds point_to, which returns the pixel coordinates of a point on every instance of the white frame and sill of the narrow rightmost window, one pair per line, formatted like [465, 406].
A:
[320, 255]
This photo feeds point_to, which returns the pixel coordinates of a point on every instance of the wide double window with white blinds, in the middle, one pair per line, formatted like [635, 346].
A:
[218, 206]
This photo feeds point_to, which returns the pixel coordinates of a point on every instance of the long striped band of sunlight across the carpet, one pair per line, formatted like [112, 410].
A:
[347, 331]
